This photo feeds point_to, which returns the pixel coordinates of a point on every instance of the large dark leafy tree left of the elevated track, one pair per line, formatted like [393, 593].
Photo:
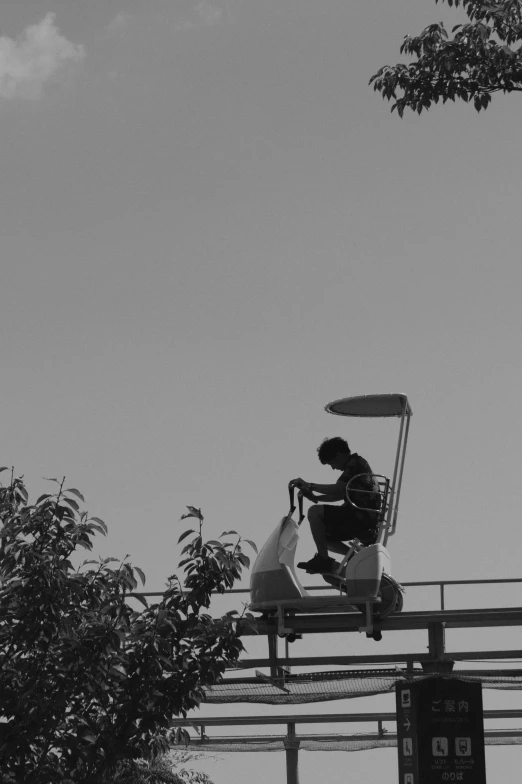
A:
[88, 681]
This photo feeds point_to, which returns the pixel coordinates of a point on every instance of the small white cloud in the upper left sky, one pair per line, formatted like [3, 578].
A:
[34, 58]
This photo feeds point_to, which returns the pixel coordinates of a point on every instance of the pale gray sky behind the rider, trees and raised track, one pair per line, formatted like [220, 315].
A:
[211, 226]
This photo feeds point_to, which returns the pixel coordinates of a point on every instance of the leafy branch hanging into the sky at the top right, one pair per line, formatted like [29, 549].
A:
[481, 58]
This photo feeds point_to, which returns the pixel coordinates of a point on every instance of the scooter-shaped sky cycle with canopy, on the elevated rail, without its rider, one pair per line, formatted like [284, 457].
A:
[362, 579]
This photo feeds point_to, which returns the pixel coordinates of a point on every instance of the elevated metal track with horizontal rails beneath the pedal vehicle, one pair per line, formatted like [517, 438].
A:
[436, 660]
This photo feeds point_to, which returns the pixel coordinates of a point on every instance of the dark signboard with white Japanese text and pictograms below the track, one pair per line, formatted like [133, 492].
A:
[440, 732]
